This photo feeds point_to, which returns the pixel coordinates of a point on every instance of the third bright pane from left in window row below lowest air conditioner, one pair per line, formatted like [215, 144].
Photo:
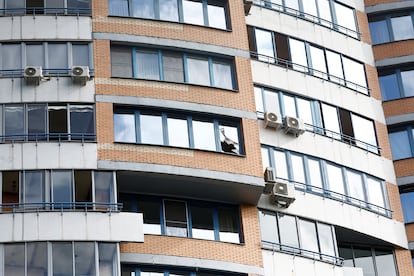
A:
[308, 238]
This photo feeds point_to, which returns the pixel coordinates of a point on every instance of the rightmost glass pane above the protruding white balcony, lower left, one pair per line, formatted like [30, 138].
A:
[104, 187]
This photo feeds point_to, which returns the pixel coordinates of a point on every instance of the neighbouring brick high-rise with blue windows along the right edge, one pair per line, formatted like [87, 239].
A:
[392, 34]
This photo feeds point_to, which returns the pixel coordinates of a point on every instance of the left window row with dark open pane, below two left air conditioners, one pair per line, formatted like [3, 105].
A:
[34, 122]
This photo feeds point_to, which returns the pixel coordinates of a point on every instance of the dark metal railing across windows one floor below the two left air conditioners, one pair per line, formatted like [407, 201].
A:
[48, 137]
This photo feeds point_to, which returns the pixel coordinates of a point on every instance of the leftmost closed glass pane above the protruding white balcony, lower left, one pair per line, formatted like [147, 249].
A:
[34, 188]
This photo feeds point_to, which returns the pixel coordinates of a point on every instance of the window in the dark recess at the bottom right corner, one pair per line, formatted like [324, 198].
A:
[373, 261]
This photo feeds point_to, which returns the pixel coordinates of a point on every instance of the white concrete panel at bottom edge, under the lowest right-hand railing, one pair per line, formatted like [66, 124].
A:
[280, 264]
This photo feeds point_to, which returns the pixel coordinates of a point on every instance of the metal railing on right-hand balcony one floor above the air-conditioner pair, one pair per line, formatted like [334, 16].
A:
[310, 71]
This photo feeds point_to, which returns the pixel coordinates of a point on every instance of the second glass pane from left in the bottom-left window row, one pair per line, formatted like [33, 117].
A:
[37, 259]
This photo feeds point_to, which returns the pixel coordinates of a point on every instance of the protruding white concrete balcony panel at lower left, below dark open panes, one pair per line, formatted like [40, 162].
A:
[79, 226]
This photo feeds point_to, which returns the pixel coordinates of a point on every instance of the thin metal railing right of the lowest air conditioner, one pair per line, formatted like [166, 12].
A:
[362, 204]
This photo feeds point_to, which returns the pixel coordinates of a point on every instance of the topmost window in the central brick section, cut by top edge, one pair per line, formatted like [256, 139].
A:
[209, 13]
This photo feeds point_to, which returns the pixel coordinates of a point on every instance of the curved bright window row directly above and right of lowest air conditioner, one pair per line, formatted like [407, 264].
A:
[328, 179]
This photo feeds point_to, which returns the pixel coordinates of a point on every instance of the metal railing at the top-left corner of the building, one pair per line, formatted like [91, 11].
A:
[45, 11]
